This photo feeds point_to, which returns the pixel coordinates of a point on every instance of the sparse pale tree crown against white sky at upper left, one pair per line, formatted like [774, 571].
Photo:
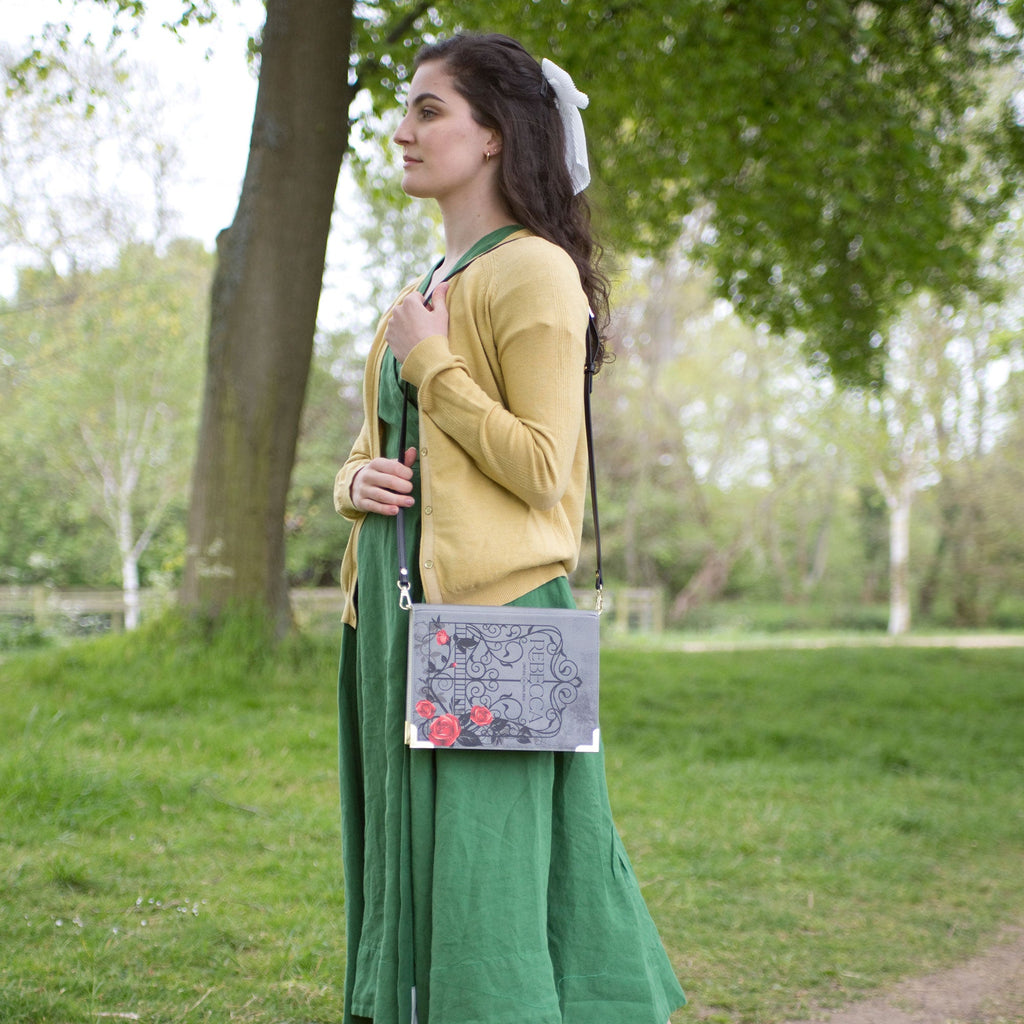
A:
[84, 167]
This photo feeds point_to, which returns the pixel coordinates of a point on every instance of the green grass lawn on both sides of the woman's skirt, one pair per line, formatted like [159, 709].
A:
[807, 825]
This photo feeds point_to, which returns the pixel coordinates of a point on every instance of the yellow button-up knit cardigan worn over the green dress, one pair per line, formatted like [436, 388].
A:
[503, 450]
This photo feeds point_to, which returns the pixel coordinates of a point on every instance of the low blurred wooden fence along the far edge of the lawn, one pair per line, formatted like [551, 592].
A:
[79, 611]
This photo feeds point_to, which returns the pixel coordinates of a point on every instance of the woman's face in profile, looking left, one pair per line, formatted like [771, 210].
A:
[444, 147]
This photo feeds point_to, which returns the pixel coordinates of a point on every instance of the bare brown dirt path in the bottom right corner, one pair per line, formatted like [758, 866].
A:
[988, 990]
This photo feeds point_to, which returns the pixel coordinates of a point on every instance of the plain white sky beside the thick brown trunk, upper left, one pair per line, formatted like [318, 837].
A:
[216, 90]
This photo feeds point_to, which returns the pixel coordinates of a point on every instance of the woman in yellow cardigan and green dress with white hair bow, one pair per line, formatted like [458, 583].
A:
[482, 886]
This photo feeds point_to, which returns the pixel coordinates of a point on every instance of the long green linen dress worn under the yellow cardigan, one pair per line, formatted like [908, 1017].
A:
[482, 887]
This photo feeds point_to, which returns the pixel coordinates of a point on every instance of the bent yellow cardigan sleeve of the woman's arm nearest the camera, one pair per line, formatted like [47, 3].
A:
[534, 313]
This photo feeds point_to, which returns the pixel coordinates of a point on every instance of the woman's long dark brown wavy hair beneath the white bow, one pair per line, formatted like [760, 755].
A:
[504, 88]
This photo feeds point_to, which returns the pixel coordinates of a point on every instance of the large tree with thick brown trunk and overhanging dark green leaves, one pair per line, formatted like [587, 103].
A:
[830, 141]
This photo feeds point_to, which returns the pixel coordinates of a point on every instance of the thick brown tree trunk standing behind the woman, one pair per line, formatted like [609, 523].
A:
[264, 312]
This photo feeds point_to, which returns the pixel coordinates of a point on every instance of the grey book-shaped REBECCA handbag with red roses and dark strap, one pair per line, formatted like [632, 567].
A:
[505, 678]
